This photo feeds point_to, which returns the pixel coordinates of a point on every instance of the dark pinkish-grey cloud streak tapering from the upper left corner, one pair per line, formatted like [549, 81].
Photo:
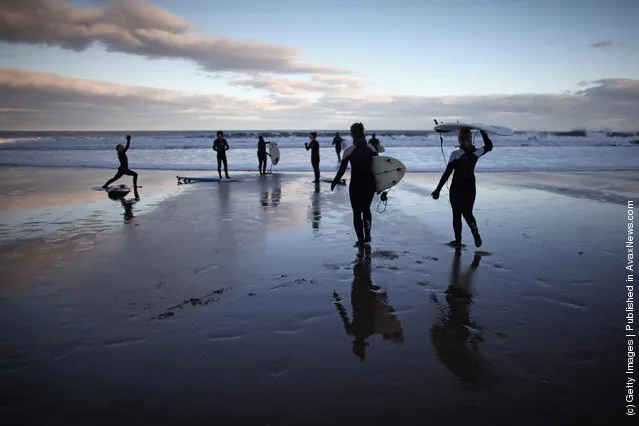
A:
[139, 28]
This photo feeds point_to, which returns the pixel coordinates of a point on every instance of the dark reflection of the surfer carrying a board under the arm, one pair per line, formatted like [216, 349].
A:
[372, 314]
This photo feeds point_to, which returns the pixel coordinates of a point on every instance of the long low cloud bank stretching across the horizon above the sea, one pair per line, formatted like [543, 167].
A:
[39, 101]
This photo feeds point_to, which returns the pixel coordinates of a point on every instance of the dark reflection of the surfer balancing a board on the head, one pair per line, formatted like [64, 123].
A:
[455, 336]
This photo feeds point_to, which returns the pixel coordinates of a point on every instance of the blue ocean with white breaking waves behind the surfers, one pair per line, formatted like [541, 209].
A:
[420, 151]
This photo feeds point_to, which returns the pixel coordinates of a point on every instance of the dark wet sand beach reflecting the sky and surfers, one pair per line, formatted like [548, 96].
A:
[245, 303]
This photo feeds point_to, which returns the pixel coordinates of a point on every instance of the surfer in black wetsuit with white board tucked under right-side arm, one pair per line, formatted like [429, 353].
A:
[362, 186]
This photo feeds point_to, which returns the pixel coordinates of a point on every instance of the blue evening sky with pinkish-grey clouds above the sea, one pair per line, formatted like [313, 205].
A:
[307, 64]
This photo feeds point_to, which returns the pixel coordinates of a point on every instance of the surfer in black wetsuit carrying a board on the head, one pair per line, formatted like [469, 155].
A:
[462, 191]
